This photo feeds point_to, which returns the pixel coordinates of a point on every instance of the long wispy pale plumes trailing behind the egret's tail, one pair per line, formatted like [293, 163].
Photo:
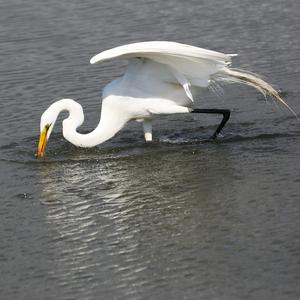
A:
[251, 79]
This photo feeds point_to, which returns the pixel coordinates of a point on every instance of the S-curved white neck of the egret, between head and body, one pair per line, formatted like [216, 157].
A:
[106, 128]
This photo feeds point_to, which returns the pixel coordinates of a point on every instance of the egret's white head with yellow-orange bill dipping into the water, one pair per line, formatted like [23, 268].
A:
[47, 123]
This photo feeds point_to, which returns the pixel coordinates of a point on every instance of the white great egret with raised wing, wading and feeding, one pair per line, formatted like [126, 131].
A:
[161, 78]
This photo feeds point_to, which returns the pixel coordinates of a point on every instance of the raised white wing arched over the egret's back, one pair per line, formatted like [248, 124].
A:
[189, 65]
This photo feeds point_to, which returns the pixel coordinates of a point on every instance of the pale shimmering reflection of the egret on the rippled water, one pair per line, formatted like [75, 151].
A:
[132, 220]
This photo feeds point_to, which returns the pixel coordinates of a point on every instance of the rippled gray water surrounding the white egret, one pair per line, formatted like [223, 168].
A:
[180, 218]
